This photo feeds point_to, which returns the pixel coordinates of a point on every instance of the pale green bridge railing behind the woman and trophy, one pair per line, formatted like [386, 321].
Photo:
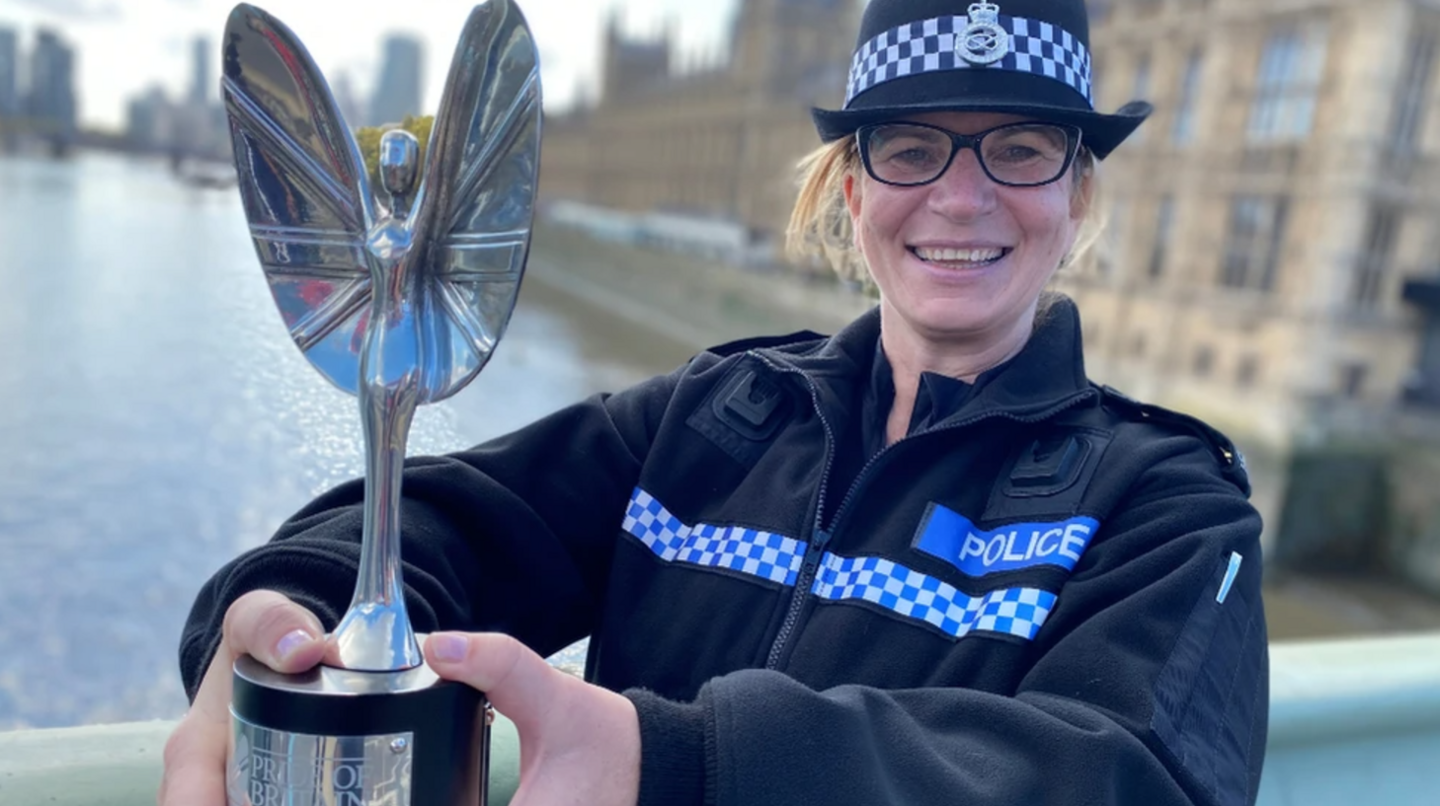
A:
[1351, 723]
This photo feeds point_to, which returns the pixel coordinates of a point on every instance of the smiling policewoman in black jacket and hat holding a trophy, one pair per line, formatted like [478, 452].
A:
[924, 561]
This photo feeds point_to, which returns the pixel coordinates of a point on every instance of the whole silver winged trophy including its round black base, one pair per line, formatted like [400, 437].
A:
[398, 299]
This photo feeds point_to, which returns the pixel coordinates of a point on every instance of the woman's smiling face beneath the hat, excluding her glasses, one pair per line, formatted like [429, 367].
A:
[964, 260]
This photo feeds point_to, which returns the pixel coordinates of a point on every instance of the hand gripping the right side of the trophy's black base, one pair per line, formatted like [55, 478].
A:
[578, 743]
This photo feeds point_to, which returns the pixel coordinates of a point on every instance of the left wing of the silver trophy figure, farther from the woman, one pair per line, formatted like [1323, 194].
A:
[305, 188]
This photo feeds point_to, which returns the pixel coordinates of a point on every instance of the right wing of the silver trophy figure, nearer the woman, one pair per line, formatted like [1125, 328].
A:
[479, 192]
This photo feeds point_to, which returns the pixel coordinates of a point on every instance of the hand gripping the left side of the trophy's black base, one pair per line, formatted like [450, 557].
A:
[277, 633]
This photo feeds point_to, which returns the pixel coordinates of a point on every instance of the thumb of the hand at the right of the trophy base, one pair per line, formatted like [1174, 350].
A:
[516, 682]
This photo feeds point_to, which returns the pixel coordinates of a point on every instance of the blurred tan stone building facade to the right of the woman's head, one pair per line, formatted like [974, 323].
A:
[1274, 254]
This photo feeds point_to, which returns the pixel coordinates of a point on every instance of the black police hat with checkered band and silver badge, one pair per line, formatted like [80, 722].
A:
[1019, 57]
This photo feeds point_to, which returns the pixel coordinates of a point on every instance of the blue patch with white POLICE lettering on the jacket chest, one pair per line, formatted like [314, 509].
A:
[953, 538]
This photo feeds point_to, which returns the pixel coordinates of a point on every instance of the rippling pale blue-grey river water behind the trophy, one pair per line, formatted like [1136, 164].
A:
[156, 421]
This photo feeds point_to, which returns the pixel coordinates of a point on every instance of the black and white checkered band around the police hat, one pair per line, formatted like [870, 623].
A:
[931, 45]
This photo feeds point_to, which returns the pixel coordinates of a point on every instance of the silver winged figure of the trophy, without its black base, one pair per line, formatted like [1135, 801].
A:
[398, 297]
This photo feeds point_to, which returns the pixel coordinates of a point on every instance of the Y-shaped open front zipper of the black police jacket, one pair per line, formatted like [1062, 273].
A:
[816, 548]
